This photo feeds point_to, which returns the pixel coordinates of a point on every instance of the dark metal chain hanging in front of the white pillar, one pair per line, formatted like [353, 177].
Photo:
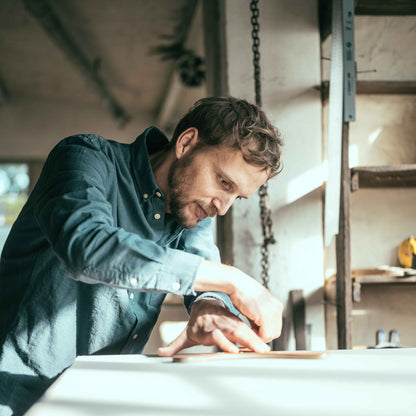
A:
[265, 212]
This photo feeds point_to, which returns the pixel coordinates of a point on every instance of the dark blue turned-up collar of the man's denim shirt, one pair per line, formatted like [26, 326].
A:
[150, 141]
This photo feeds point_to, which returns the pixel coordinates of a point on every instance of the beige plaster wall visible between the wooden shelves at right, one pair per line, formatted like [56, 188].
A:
[383, 134]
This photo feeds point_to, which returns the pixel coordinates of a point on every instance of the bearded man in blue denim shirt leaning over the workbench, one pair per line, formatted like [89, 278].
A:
[110, 228]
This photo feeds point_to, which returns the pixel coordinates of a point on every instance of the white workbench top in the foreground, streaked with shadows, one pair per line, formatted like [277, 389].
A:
[349, 382]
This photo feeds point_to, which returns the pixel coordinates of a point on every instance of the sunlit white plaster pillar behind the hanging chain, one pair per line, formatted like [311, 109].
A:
[290, 68]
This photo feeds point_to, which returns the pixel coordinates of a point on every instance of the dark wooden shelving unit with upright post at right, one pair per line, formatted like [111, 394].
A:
[353, 179]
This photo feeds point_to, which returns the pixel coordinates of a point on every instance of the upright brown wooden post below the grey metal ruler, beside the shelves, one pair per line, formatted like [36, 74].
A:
[343, 251]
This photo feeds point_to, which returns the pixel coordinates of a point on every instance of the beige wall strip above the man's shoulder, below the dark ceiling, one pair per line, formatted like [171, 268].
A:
[30, 127]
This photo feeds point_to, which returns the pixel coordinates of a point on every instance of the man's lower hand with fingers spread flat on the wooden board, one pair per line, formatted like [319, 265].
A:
[212, 324]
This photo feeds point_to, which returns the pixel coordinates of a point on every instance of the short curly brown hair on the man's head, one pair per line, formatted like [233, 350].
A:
[236, 123]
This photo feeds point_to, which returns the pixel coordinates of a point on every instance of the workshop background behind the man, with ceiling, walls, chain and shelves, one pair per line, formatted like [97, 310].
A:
[340, 251]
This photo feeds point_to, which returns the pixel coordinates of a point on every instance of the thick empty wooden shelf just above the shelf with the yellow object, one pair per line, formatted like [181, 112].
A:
[383, 177]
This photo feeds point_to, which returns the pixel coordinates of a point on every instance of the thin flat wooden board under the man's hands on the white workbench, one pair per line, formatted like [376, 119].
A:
[244, 354]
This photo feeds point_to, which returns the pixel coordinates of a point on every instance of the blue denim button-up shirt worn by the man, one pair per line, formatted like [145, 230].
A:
[89, 261]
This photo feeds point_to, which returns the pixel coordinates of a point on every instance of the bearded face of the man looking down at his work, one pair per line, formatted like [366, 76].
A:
[206, 181]
